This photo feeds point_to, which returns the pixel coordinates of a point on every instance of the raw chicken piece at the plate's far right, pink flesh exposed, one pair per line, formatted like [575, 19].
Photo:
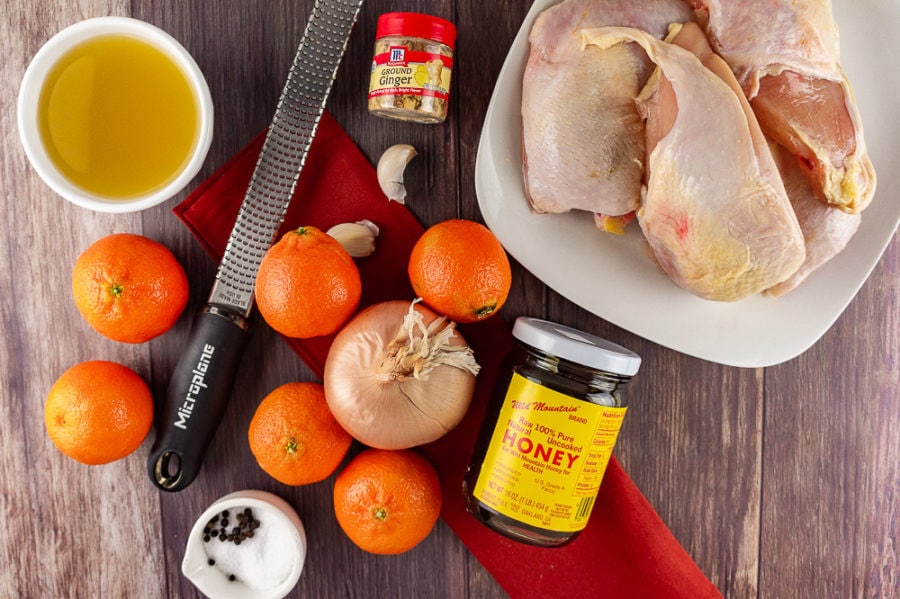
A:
[785, 55]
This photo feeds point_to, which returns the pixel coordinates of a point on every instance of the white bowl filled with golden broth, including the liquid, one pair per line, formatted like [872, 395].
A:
[115, 115]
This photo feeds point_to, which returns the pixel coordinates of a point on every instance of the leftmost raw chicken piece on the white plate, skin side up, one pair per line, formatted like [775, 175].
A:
[583, 140]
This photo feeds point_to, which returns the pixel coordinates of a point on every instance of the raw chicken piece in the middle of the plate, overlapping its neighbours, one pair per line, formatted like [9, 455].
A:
[714, 211]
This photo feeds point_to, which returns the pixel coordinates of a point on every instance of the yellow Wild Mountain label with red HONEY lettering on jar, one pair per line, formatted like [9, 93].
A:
[547, 456]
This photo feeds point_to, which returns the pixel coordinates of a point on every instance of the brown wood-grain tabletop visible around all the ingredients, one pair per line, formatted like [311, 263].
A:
[779, 481]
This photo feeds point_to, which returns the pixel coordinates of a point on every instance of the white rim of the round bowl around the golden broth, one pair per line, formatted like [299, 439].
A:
[30, 91]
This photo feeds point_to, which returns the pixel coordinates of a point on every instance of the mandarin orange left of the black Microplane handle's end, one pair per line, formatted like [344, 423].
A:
[98, 411]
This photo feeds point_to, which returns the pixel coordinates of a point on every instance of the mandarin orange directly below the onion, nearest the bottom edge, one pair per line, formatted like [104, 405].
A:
[387, 501]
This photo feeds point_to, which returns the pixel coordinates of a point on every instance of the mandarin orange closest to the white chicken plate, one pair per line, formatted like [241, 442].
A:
[459, 269]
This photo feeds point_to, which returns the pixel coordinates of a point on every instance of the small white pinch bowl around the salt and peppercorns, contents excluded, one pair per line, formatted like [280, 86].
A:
[213, 582]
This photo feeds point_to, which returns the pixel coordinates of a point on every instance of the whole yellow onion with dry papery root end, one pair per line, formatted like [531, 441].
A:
[399, 375]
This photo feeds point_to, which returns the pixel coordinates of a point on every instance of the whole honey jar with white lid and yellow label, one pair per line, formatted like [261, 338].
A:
[548, 433]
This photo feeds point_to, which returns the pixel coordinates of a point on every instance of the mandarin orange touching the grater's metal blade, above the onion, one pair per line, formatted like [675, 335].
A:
[307, 284]
